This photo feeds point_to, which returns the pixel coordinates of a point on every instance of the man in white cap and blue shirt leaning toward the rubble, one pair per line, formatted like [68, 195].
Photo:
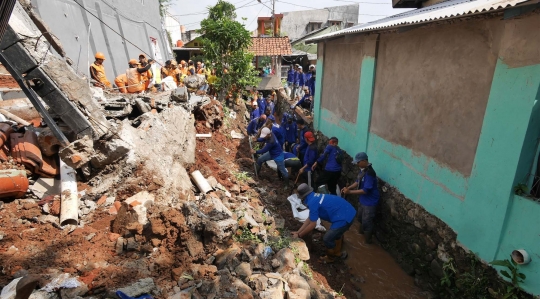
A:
[271, 151]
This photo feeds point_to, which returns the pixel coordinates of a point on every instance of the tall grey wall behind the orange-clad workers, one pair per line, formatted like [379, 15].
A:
[137, 22]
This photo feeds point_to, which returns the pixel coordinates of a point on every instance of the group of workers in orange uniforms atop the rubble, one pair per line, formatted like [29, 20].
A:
[142, 75]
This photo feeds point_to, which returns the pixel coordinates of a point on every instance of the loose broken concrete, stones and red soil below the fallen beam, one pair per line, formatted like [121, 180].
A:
[146, 229]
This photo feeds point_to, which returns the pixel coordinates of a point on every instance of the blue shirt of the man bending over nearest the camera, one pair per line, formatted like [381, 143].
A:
[331, 208]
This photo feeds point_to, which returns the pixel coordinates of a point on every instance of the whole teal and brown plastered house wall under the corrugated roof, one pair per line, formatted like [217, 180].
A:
[448, 116]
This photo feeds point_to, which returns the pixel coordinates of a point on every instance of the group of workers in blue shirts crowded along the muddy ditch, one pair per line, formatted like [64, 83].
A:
[291, 144]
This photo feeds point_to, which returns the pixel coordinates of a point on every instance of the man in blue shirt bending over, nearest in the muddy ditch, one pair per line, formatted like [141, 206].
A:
[334, 209]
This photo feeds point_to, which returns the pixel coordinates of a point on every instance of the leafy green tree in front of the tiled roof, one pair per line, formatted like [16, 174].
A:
[225, 44]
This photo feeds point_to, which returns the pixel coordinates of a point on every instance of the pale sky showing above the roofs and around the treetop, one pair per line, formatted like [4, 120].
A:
[191, 12]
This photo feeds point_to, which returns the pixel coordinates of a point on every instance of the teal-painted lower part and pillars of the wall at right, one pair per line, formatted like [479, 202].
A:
[488, 218]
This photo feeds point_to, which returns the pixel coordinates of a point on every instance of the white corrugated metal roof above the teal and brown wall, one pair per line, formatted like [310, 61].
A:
[440, 11]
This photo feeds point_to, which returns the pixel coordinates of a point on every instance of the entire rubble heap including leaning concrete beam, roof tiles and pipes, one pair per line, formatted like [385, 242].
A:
[141, 226]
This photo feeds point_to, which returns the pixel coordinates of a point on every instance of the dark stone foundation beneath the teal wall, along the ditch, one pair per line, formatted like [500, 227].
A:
[424, 246]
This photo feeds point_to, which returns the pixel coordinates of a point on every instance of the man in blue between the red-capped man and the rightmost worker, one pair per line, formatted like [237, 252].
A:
[332, 169]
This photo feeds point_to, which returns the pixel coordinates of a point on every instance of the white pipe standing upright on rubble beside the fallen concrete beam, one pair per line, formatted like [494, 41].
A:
[69, 199]
